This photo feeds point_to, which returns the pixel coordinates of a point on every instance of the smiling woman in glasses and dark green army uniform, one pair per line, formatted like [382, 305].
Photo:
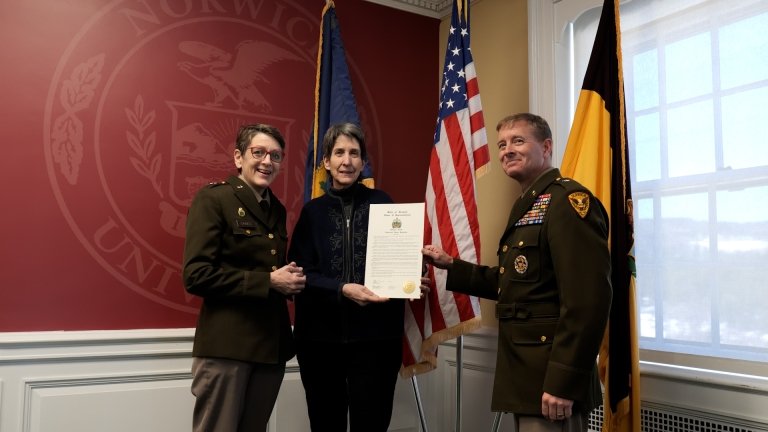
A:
[235, 259]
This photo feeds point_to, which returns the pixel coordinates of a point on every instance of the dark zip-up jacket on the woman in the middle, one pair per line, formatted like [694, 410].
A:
[332, 253]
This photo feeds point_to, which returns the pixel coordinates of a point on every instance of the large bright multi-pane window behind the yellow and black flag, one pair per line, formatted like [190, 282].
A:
[696, 84]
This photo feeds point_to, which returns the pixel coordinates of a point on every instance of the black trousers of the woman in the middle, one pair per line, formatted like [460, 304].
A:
[357, 378]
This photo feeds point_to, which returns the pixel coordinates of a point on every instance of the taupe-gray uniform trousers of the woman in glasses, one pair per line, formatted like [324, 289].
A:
[233, 396]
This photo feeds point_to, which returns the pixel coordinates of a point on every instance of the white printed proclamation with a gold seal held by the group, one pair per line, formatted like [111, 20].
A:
[393, 258]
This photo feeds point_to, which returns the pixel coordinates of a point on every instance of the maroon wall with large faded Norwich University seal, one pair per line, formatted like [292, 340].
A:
[115, 113]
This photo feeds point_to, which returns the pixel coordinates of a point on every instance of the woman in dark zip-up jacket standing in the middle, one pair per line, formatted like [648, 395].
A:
[348, 339]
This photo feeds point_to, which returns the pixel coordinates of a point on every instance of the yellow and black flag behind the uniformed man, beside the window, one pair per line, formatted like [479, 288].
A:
[596, 155]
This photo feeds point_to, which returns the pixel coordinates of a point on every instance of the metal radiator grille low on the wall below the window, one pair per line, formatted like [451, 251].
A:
[661, 418]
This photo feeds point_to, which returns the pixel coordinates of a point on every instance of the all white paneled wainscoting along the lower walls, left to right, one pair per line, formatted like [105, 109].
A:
[138, 380]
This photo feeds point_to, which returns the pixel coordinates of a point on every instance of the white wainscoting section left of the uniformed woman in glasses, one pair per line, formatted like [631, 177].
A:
[95, 381]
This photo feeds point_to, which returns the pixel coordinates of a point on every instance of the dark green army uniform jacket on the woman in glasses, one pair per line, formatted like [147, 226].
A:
[232, 245]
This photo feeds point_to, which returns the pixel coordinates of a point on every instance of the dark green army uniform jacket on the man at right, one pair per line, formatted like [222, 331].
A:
[554, 293]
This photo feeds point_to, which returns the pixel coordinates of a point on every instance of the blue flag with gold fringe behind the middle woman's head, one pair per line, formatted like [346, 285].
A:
[334, 102]
